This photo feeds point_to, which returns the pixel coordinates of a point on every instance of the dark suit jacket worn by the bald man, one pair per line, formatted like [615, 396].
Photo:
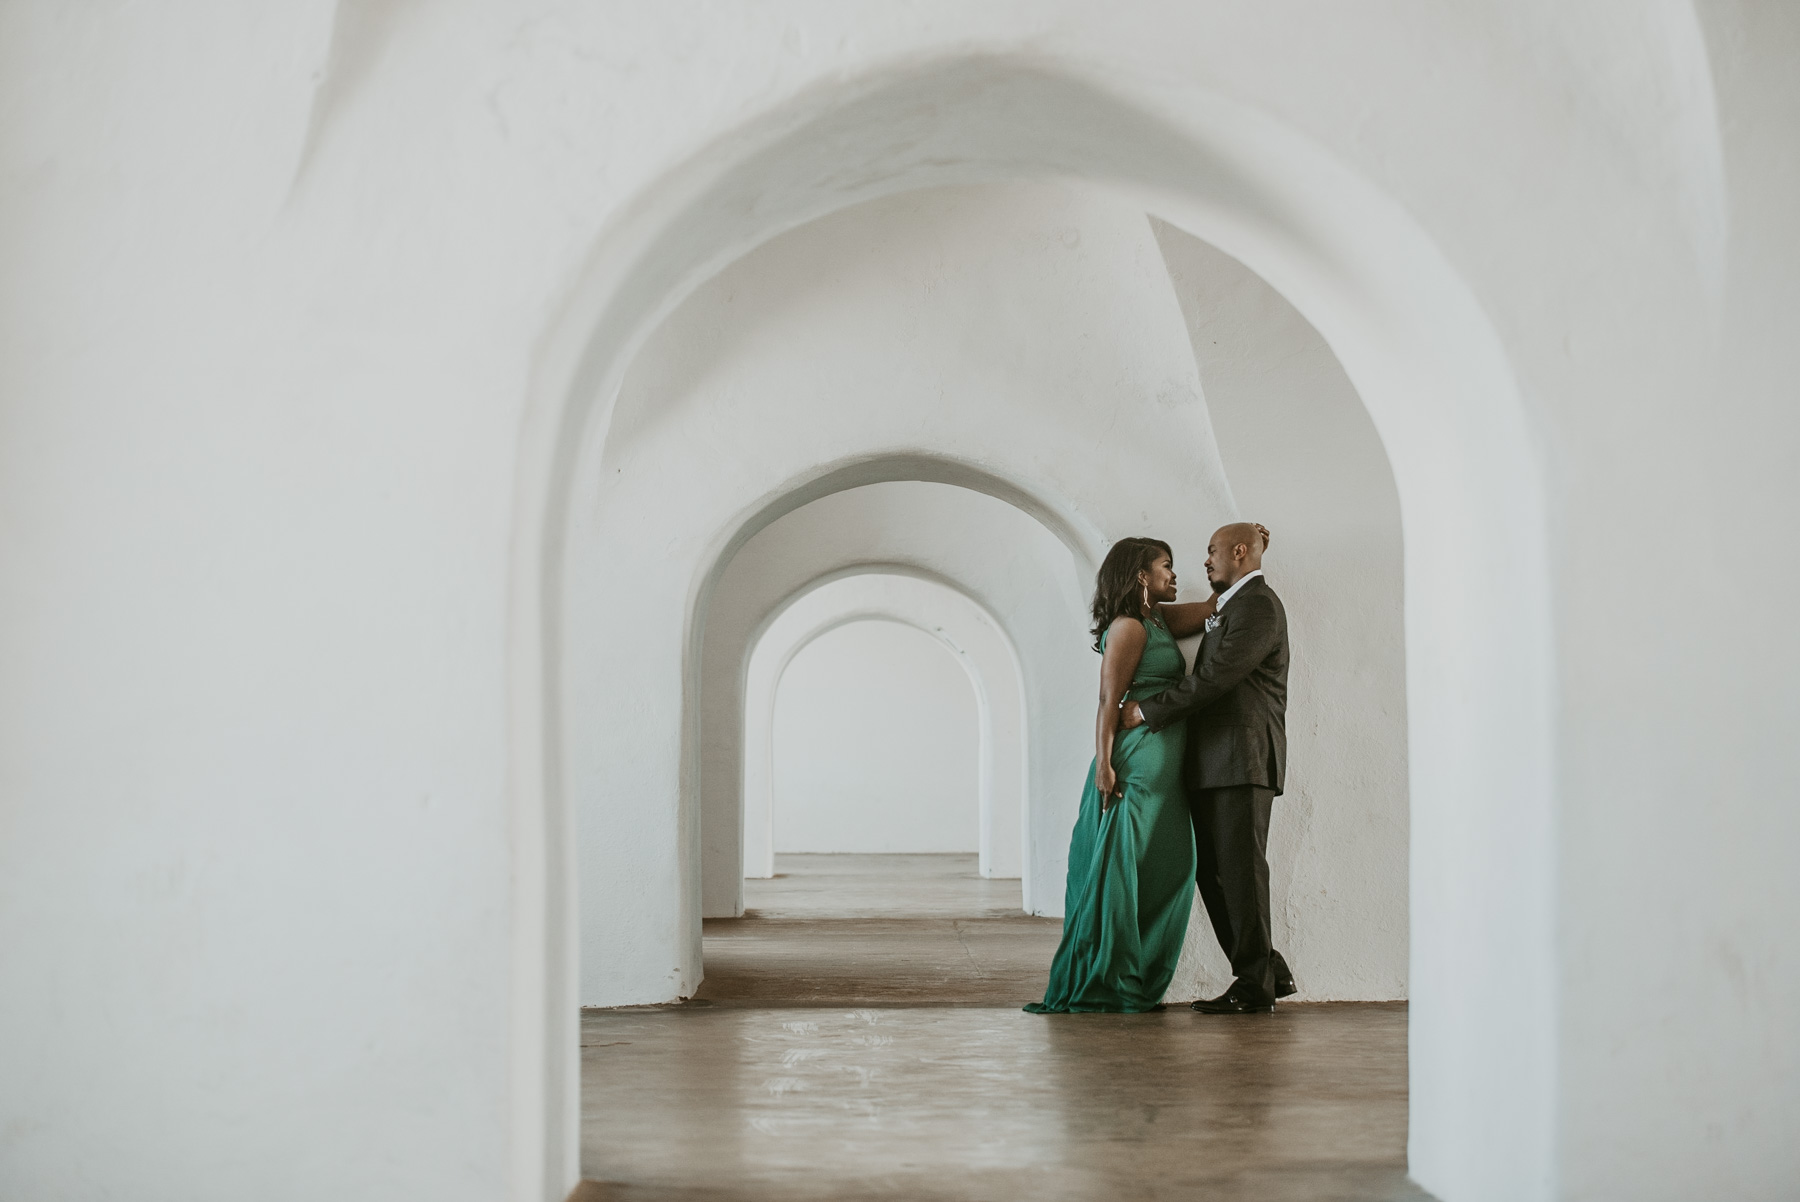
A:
[1237, 695]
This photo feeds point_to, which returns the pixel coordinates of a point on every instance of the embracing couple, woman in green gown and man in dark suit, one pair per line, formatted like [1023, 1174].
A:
[1187, 767]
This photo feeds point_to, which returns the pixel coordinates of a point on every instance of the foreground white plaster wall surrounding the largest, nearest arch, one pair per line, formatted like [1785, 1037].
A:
[287, 391]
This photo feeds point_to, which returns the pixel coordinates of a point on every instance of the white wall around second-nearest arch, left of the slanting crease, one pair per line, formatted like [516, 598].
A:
[697, 465]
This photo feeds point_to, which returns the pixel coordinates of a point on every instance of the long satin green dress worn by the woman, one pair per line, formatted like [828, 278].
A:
[1131, 870]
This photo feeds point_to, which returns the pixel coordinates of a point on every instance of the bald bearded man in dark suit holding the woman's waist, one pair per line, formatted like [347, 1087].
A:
[1236, 703]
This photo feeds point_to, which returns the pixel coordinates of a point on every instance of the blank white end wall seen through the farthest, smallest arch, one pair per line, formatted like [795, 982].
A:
[892, 767]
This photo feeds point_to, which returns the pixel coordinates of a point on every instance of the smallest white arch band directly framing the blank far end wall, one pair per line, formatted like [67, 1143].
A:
[978, 643]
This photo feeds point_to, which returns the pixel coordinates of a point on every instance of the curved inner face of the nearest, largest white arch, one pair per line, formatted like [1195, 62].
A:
[1426, 363]
